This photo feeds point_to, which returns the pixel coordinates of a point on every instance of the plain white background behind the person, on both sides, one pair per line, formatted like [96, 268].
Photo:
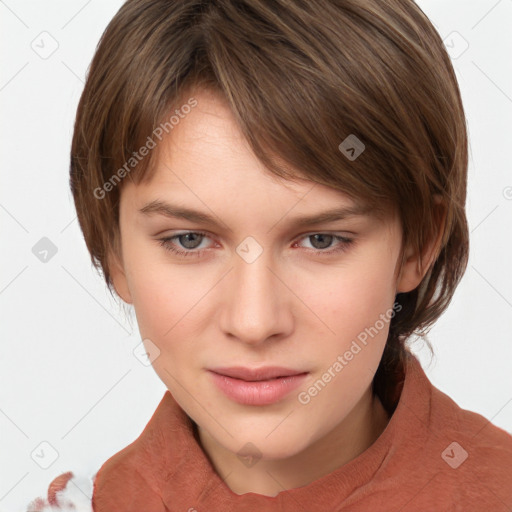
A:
[68, 373]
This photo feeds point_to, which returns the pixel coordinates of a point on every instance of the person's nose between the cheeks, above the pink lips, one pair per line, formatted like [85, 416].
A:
[257, 304]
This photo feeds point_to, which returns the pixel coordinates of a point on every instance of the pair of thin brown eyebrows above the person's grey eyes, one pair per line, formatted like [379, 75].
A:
[179, 212]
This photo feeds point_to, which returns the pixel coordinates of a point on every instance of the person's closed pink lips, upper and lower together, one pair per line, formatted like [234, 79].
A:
[262, 392]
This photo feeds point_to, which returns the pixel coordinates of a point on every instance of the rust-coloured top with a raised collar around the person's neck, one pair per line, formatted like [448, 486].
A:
[433, 455]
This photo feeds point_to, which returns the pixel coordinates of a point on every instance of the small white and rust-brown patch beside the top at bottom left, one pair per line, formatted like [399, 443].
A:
[67, 493]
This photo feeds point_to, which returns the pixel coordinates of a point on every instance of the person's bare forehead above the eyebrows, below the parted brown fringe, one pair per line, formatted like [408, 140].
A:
[206, 149]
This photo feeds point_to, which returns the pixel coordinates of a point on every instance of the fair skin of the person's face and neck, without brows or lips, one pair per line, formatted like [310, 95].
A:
[294, 306]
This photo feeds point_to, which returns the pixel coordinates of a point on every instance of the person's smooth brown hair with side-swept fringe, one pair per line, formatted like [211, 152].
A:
[300, 77]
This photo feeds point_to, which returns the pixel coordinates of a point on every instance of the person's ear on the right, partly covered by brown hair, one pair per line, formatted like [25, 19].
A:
[415, 264]
